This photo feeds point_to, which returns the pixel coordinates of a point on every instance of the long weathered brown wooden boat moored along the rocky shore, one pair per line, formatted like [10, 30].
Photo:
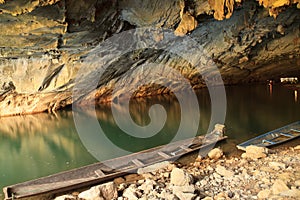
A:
[103, 171]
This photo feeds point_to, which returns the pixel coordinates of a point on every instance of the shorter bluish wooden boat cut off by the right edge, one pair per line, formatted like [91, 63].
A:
[274, 137]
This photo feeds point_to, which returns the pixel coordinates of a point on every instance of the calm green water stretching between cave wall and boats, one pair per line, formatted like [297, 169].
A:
[38, 145]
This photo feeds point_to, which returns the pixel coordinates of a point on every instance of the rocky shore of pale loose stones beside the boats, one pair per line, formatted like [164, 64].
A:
[259, 173]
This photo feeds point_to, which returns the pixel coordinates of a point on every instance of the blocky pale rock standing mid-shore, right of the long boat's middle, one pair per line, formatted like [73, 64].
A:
[180, 177]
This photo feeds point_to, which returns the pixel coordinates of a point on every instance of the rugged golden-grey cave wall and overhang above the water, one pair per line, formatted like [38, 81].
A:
[44, 43]
